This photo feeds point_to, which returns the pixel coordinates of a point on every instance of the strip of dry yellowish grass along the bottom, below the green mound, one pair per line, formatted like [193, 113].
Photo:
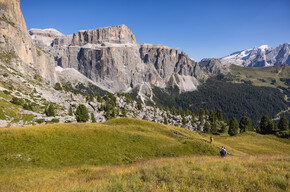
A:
[239, 173]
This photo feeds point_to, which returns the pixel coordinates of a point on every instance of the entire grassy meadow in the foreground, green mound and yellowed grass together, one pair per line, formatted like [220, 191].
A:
[135, 155]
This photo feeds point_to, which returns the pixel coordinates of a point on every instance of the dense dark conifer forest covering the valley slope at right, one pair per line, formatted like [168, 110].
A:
[235, 100]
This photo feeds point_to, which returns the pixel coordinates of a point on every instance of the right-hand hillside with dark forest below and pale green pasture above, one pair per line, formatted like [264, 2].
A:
[251, 92]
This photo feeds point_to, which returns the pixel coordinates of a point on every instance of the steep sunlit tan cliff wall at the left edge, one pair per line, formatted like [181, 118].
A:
[17, 48]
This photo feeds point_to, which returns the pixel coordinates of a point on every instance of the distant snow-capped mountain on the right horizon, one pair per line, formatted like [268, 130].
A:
[260, 56]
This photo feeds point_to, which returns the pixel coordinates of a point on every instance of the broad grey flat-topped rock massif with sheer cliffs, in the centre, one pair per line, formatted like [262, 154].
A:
[111, 57]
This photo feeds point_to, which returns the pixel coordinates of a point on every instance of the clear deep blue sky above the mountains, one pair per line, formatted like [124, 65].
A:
[203, 29]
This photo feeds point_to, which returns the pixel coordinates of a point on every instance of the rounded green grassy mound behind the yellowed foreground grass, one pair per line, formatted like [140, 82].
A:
[118, 141]
